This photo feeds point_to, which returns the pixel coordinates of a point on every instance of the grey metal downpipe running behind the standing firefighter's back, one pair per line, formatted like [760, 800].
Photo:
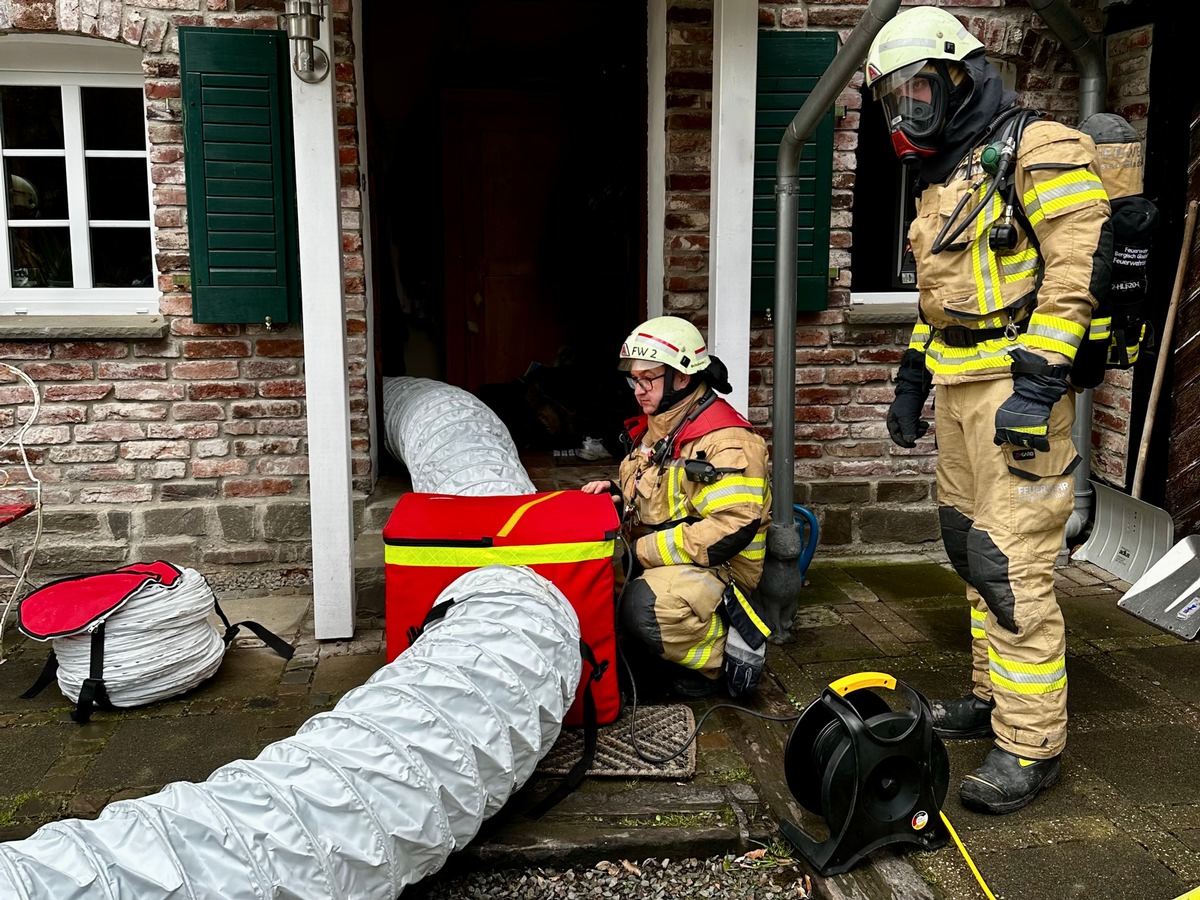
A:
[1089, 55]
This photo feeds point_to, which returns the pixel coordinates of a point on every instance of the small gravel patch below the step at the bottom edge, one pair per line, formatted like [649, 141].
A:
[760, 875]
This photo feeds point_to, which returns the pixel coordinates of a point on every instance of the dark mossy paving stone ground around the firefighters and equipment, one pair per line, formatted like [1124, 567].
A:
[1124, 823]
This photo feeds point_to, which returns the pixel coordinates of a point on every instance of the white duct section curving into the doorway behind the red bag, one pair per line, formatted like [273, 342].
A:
[451, 441]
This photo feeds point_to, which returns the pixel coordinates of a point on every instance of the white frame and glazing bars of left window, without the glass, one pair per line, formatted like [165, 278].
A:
[41, 62]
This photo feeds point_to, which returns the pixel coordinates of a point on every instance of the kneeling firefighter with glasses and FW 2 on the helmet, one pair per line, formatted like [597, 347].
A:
[695, 489]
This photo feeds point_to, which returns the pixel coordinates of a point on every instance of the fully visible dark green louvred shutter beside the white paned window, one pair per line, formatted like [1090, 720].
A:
[241, 170]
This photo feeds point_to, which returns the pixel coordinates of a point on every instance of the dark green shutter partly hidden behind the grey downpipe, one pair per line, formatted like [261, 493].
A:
[790, 64]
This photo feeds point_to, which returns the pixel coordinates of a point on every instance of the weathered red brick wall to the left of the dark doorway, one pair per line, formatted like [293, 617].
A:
[191, 448]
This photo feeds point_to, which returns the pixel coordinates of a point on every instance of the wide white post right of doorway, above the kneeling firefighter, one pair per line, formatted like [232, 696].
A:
[731, 221]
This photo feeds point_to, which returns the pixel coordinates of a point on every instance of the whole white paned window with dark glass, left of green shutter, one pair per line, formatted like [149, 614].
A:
[76, 219]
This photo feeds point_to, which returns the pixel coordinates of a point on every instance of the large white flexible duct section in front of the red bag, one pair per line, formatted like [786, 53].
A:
[367, 799]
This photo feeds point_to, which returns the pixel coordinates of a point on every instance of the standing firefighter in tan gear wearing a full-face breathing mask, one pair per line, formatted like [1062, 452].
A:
[1012, 243]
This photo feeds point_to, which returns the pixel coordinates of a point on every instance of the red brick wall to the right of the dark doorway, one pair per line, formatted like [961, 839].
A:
[869, 495]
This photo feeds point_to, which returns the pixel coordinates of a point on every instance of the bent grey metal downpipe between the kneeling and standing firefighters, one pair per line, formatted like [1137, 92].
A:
[781, 586]
